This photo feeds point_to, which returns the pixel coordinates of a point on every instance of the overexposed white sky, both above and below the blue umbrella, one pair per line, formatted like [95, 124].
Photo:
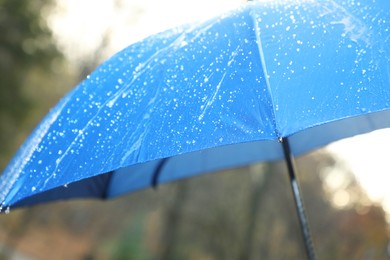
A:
[78, 26]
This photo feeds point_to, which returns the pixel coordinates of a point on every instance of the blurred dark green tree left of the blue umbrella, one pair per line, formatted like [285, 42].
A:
[25, 45]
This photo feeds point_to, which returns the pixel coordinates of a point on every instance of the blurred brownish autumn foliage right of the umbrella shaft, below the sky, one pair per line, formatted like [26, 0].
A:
[356, 230]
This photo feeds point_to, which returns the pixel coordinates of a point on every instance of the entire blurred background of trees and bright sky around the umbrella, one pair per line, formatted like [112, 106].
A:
[48, 46]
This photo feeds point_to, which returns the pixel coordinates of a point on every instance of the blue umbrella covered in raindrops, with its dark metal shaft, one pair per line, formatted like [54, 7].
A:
[264, 82]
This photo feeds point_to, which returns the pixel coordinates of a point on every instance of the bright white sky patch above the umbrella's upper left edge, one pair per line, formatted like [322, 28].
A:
[78, 25]
